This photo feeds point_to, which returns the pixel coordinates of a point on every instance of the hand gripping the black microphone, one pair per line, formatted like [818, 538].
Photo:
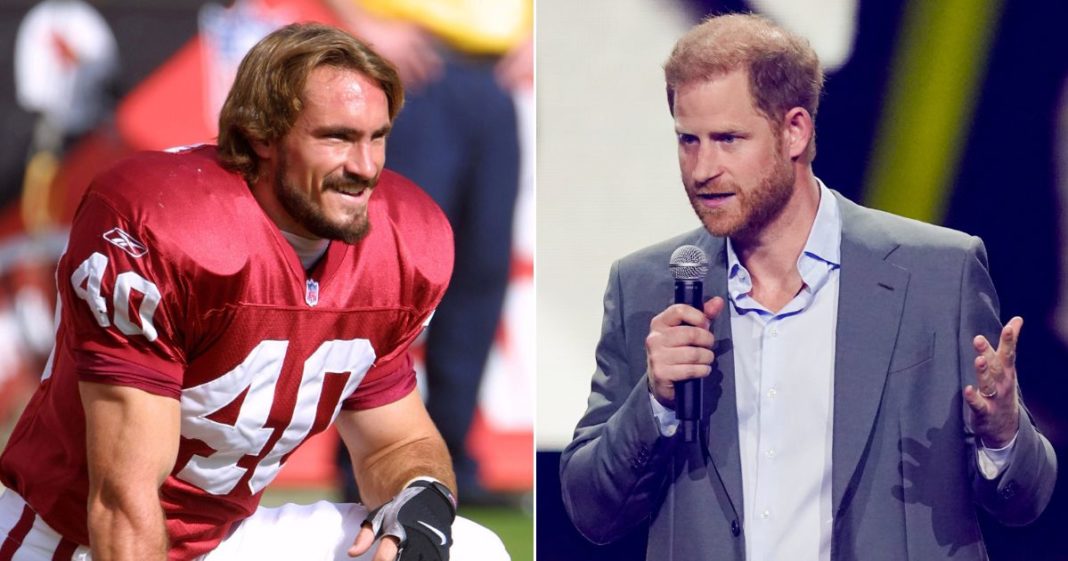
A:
[680, 347]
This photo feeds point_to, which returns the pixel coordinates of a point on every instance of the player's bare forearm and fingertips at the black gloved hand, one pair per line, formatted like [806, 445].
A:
[391, 446]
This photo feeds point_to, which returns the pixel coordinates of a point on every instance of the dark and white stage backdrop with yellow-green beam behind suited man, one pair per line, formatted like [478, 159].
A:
[951, 112]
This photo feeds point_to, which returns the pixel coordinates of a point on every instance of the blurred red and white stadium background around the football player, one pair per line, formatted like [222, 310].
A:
[84, 84]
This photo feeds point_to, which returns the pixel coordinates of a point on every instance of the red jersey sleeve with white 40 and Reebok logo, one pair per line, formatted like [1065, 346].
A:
[119, 303]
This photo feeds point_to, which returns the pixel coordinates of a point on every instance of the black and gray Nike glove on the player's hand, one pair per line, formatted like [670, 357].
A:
[421, 517]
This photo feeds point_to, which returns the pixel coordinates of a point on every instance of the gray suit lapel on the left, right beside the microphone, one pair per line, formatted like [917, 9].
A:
[719, 395]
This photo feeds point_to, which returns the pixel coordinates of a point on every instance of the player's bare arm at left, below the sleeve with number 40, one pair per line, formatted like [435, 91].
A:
[132, 443]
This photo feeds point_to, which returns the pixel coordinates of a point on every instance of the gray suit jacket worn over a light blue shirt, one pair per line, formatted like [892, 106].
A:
[905, 484]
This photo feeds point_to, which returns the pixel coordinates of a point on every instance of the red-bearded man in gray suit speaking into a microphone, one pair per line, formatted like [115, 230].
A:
[860, 393]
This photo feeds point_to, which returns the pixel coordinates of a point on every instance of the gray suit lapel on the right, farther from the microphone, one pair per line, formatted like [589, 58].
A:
[871, 300]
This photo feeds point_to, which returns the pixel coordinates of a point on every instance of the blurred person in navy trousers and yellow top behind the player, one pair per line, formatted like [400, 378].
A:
[458, 138]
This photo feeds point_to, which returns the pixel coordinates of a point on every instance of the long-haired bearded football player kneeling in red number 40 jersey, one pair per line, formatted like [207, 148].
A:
[222, 305]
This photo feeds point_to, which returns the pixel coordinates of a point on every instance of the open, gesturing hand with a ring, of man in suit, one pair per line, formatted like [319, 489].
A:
[994, 399]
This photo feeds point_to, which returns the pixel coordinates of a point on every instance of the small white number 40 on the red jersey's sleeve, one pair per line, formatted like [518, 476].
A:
[87, 282]
